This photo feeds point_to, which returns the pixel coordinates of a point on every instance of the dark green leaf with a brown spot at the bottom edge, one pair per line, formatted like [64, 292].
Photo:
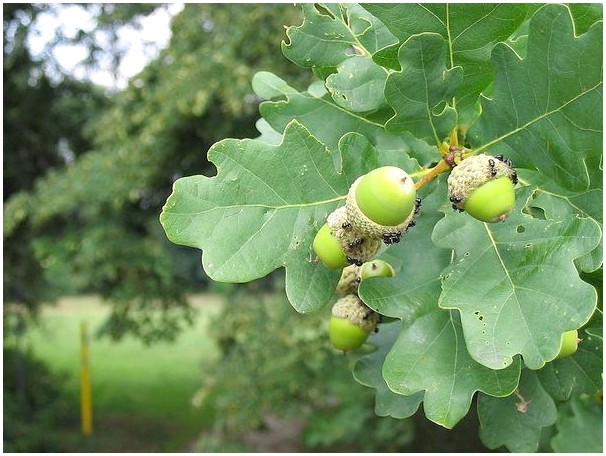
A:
[516, 421]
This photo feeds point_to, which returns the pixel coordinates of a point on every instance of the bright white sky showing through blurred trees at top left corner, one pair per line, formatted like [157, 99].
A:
[143, 45]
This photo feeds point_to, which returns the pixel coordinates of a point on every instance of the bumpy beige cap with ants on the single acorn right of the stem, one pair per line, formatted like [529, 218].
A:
[472, 173]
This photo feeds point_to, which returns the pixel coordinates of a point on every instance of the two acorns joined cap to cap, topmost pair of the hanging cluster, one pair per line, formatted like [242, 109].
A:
[380, 207]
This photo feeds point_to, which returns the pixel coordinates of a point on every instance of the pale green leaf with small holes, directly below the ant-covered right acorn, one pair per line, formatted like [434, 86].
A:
[515, 283]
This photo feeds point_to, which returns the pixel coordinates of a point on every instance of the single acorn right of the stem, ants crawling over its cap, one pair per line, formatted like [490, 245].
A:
[484, 187]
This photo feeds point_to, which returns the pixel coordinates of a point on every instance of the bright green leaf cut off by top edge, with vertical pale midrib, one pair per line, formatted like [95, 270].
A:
[470, 30]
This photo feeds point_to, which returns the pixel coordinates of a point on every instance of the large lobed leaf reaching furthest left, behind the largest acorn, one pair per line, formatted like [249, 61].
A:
[263, 208]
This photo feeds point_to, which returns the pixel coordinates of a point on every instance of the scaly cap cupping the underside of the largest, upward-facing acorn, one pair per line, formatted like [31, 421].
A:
[362, 223]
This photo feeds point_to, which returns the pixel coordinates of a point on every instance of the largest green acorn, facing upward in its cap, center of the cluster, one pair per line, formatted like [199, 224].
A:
[382, 203]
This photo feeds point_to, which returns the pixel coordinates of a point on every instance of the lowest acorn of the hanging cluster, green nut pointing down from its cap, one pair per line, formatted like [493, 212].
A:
[351, 323]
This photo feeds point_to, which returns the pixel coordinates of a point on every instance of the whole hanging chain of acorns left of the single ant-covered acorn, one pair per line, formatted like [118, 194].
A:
[380, 207]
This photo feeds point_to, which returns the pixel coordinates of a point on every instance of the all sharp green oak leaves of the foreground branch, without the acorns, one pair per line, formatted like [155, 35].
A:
[481, 307]
